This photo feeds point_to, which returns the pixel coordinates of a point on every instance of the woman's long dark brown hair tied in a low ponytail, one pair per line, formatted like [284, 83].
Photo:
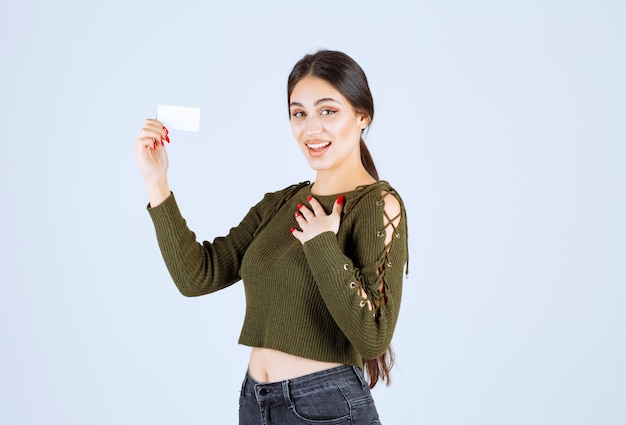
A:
[342, 72]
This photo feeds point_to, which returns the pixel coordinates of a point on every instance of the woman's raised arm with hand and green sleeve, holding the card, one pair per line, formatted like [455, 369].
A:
[196, 268]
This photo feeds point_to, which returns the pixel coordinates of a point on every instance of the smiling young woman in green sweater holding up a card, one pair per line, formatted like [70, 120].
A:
[322, 263]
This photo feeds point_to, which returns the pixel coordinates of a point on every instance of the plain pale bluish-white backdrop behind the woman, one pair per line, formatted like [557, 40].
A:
[500, 123]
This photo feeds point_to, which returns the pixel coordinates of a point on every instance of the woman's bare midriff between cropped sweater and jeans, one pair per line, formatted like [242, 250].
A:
[267, 365]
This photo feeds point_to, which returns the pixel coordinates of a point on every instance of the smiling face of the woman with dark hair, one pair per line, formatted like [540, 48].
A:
[325, 125]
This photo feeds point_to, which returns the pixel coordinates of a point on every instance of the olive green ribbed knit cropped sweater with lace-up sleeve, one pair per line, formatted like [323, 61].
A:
[306, 300]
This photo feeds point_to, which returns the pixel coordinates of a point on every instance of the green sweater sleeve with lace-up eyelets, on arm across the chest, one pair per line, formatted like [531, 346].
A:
[362, 287]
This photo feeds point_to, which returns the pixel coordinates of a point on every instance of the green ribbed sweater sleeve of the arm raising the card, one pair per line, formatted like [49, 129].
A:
[201, 268]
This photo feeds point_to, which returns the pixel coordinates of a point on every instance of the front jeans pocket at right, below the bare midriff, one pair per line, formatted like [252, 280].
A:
[324, 406]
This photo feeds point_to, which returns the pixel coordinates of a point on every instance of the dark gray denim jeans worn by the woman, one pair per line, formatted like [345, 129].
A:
[335, 396]
